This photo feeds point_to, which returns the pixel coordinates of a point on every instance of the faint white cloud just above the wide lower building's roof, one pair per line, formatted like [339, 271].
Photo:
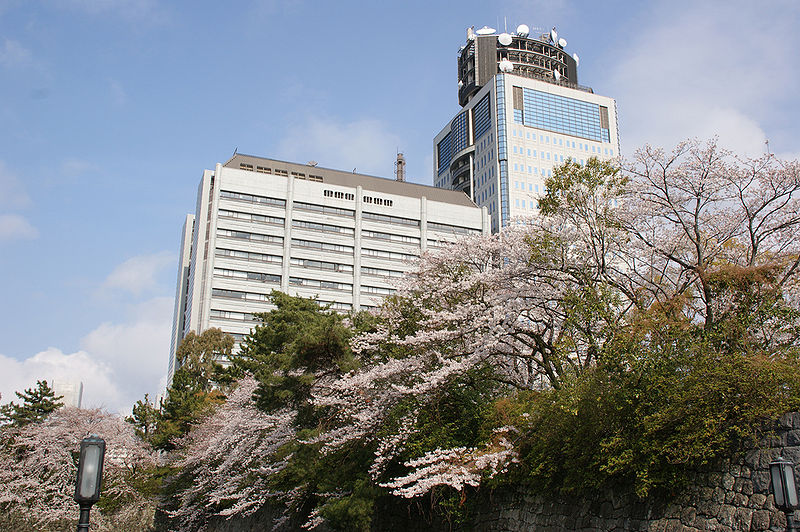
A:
[365, 145]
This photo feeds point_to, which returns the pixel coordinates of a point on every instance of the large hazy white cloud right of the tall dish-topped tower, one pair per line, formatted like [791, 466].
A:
[687, 74]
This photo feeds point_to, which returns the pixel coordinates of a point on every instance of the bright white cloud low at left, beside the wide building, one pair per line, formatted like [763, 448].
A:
[118, 362]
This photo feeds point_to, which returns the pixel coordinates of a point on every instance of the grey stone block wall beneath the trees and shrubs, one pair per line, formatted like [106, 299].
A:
[734, 497]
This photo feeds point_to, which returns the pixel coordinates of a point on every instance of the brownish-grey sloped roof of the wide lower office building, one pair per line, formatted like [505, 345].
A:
[352, 179]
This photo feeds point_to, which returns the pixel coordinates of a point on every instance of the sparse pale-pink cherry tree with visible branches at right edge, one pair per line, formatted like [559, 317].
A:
[695, 211]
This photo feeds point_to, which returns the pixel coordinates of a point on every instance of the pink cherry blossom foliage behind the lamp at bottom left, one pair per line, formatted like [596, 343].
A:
[38, 467]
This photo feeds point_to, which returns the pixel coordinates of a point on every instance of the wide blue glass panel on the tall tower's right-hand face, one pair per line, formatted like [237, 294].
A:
[562, 115]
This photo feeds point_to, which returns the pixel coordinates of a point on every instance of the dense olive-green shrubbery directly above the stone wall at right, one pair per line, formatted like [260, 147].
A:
[663, 403]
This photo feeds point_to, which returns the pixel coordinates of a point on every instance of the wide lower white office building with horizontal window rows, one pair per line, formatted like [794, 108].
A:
[263, 225]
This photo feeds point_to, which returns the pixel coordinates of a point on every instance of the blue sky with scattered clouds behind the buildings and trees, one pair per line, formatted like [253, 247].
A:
[111, 109]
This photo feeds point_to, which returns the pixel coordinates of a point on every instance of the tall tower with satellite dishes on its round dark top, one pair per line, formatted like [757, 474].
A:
[522, 113]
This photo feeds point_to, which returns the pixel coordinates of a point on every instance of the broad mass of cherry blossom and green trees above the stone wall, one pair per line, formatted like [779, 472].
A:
[639, 328]
